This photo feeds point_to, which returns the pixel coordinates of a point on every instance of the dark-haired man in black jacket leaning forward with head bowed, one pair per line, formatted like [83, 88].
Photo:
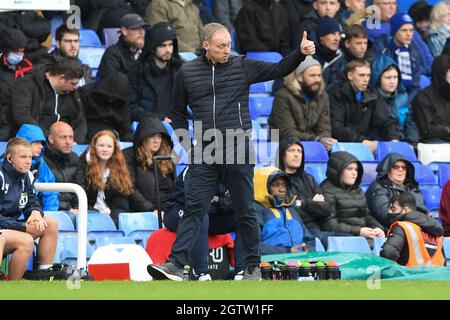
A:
[48, 94]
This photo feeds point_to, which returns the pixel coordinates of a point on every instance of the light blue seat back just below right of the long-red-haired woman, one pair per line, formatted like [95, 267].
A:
[137, 221]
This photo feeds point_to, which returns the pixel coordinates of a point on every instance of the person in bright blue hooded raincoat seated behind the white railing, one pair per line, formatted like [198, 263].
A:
[39, 168]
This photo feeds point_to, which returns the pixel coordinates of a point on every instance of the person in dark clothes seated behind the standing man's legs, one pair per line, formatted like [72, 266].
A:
[220, 220]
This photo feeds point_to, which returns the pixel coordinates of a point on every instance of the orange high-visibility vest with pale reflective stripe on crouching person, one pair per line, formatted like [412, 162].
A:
[418, 254]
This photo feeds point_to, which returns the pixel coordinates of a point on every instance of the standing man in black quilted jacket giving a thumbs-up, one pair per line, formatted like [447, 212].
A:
[222, 82]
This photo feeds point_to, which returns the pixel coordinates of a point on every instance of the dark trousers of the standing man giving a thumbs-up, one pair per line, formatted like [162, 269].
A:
[200, 186]
